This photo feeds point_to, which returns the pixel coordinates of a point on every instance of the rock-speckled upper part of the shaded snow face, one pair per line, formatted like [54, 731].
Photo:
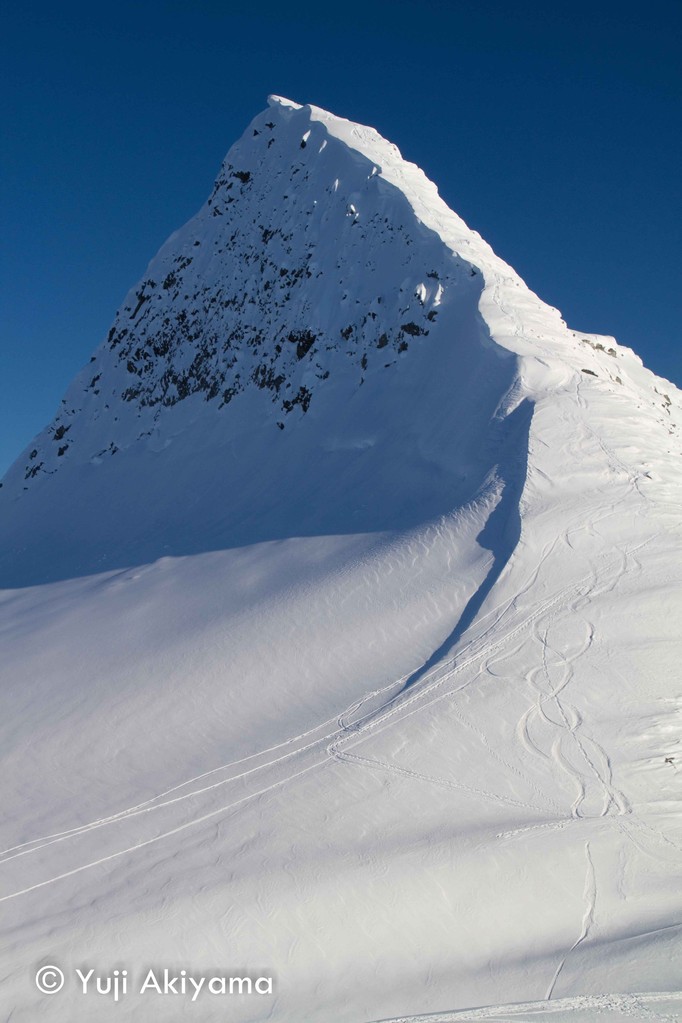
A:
[303, 266]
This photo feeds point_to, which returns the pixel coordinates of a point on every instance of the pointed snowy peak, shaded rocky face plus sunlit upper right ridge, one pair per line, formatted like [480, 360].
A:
[324, 290]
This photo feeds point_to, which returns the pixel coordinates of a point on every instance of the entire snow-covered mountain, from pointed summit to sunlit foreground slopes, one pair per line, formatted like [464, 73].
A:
[341, 626]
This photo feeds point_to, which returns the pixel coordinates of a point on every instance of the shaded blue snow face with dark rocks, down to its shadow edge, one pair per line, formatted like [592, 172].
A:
[305, 332]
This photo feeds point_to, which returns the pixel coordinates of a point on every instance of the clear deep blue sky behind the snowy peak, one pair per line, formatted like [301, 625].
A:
[553, 129]
